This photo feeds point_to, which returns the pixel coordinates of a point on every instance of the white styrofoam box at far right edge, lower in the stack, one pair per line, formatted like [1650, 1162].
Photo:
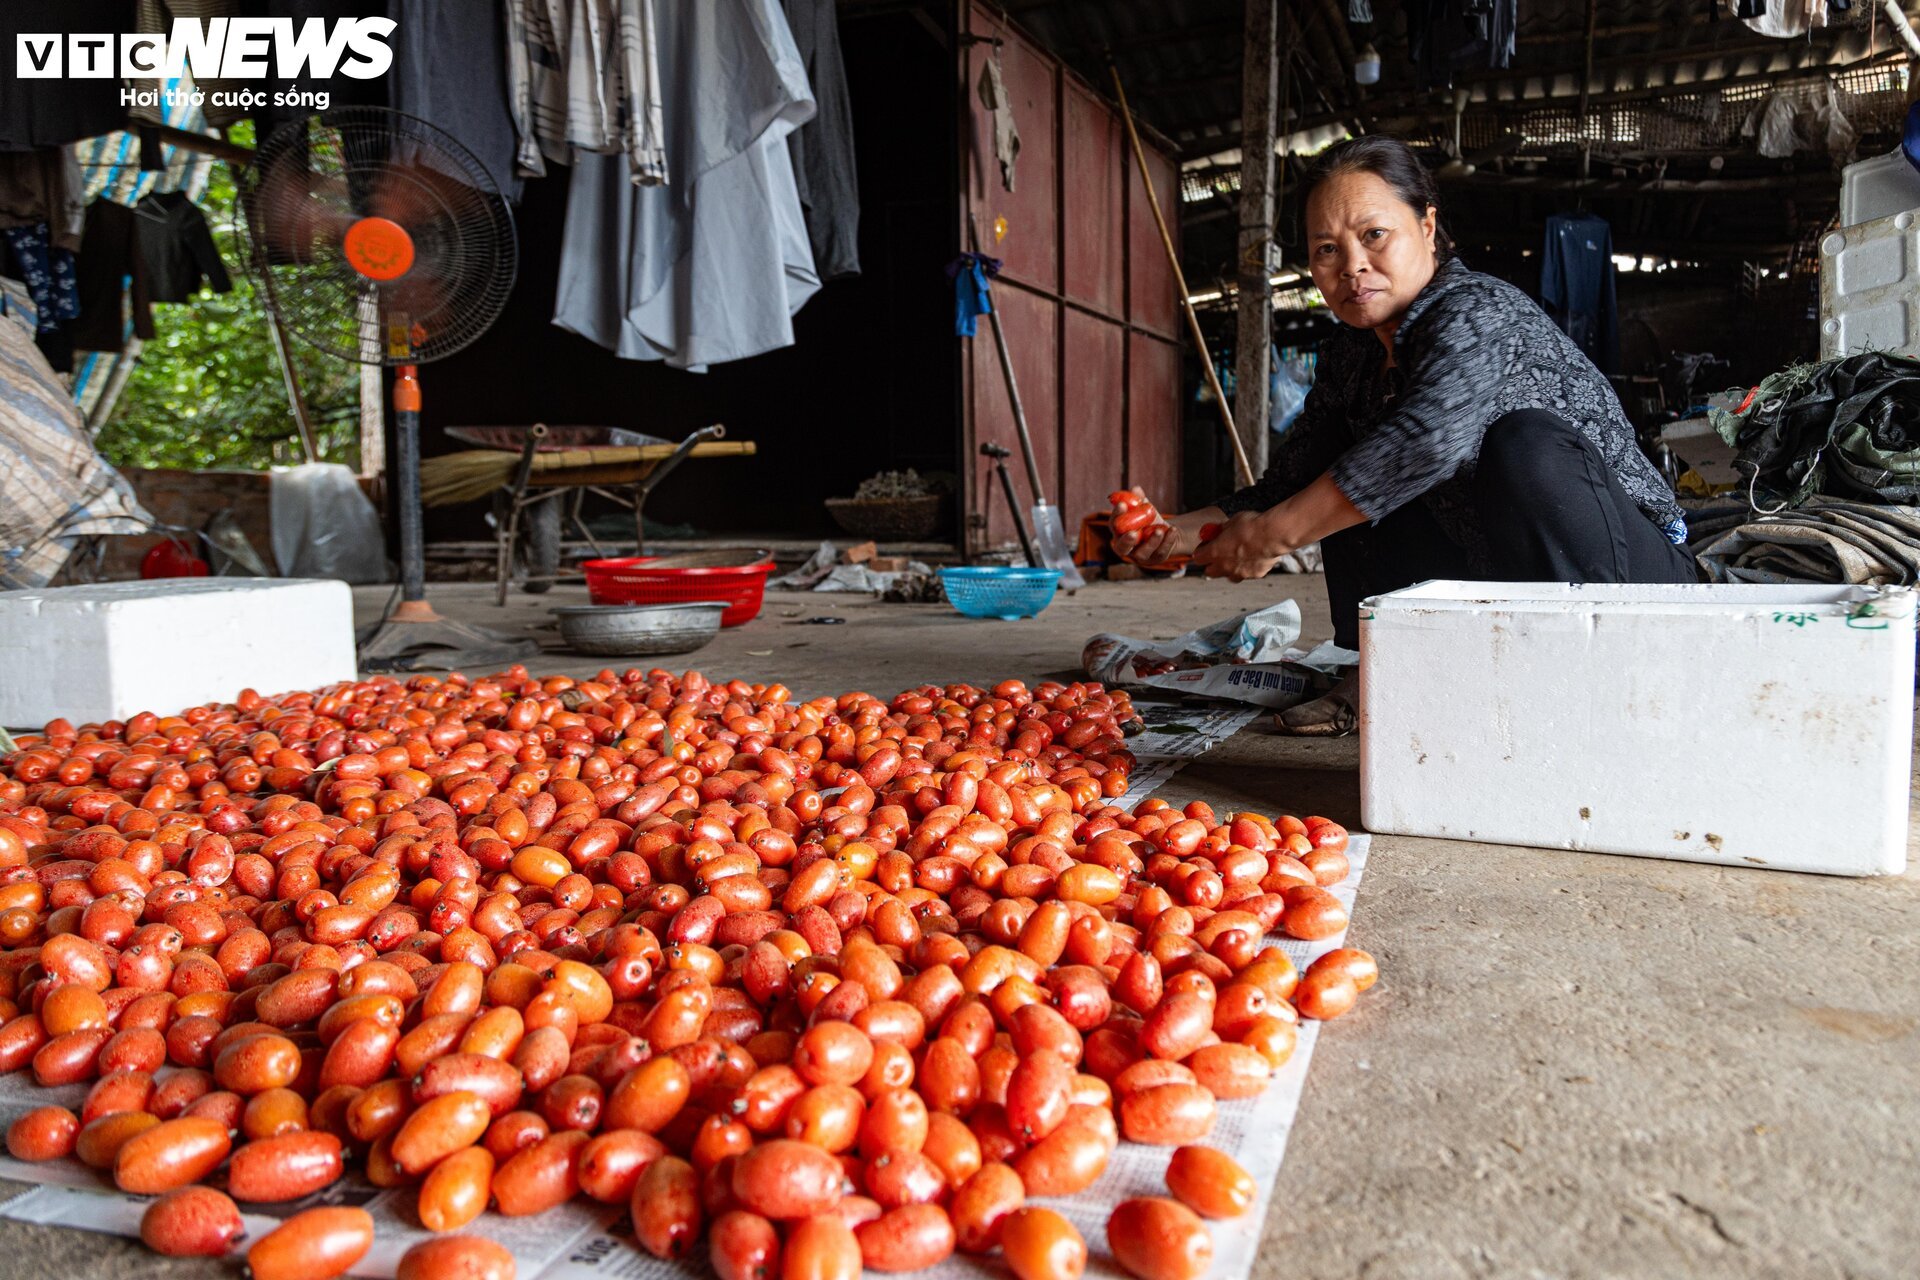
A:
[1871, 289]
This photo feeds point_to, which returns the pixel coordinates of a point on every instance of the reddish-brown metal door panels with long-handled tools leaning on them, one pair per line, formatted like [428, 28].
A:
[1086, 295]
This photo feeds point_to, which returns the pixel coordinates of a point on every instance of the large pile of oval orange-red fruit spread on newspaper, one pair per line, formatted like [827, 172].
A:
[827, 985]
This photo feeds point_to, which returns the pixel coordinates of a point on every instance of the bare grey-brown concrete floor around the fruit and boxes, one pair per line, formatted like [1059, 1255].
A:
[1573, 1066]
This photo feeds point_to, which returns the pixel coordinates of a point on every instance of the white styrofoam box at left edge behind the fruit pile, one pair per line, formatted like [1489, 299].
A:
[114, 650]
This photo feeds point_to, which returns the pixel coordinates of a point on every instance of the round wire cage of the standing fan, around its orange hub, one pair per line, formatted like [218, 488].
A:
[312, 179]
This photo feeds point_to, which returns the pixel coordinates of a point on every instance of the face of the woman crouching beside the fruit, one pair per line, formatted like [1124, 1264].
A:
[1370, 252]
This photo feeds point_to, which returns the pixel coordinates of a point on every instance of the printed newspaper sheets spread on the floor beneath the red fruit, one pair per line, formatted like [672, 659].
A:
[596, 1243]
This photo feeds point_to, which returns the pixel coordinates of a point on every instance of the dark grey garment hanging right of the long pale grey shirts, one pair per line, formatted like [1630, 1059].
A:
[823, 149]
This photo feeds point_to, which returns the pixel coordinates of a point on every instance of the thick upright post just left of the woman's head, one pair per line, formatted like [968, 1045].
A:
[1260, 122]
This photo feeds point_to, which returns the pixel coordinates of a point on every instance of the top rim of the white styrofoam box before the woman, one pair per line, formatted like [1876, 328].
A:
[1731, 600]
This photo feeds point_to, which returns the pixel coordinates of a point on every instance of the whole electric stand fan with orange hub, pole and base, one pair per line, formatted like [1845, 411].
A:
[379, 239]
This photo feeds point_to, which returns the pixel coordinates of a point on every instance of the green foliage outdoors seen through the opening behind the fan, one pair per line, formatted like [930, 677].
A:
[208, 391]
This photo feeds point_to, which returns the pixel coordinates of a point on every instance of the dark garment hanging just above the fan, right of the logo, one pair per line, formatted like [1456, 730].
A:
[450, 68]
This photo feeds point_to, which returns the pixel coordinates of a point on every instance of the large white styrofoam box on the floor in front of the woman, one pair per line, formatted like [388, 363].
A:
[1742, 724]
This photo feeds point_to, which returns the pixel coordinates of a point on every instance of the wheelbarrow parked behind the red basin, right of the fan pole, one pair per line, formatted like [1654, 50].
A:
[556, 471]
